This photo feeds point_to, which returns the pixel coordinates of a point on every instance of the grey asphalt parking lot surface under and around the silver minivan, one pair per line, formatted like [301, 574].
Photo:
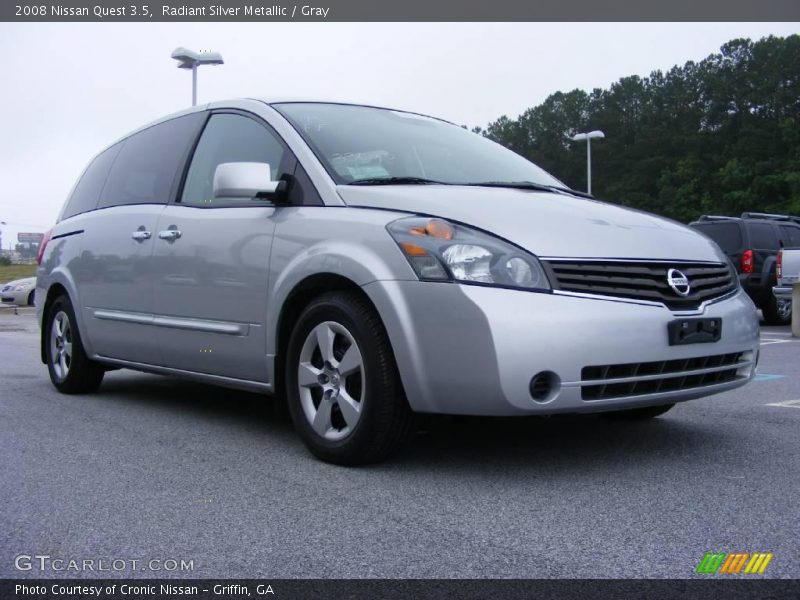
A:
[157, 468]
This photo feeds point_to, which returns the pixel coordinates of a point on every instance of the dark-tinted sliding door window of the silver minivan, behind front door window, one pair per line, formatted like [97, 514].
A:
[148, 164]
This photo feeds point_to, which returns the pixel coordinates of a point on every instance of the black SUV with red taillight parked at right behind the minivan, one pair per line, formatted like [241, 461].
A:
[752, 242]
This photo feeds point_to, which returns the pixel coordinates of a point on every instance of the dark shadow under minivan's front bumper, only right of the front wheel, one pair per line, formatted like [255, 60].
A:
[572, 443]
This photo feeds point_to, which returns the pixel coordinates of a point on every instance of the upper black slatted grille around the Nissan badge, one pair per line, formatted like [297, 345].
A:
[643, 280]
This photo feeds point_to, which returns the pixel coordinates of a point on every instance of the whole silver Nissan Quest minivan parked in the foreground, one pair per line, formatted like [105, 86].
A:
[371, 264]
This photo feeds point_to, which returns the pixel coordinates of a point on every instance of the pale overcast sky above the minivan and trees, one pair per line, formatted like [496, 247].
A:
[70, 89]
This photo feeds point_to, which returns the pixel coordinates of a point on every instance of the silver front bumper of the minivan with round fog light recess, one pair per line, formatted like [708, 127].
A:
[464, 349]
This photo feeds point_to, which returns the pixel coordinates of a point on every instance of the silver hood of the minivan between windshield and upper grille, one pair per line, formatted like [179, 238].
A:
[548, 225]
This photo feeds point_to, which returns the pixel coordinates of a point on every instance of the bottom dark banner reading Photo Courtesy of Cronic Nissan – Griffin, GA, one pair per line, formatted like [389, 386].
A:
[407, 589]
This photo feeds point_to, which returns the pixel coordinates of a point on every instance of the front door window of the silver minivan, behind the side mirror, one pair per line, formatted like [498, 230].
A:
[229, 138]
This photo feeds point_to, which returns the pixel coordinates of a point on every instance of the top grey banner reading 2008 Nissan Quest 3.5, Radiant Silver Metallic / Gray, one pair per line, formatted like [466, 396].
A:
[407, 10]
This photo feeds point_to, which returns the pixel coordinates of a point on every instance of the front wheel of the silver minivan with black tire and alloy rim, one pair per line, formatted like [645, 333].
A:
[342, 385]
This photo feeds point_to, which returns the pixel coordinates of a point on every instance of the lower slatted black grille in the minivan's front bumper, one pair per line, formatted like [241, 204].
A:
[603, 382]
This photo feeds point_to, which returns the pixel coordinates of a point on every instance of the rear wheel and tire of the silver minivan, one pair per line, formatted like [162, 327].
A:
[71, 371]
